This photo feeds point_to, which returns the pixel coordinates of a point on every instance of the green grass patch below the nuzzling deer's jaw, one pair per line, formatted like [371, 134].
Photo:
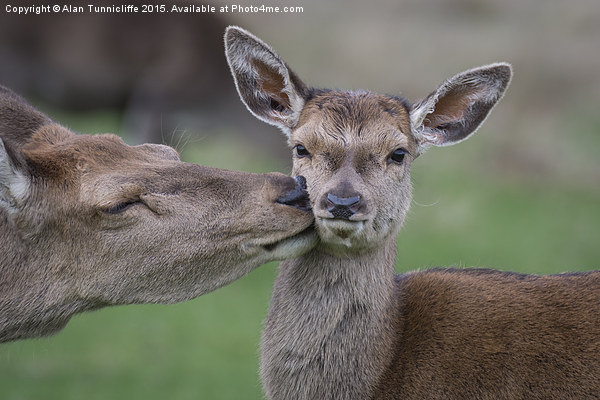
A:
[203, 349]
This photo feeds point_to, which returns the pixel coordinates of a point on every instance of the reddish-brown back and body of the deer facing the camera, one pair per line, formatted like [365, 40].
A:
[485, 334]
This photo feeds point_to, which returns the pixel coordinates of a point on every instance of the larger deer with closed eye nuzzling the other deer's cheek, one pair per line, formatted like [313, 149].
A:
[88, 221]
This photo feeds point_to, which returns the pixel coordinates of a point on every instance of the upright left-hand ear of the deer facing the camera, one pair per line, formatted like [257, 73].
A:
[270, 90]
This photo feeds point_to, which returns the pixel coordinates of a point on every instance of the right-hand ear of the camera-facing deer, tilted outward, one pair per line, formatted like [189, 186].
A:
[459, 106]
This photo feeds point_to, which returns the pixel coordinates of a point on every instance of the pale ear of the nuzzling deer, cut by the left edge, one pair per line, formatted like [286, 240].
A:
[14, 185]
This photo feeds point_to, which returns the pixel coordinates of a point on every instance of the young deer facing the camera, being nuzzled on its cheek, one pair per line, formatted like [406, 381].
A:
[341, 324]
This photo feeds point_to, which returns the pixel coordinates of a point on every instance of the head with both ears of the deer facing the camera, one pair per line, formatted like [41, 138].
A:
[355, 148]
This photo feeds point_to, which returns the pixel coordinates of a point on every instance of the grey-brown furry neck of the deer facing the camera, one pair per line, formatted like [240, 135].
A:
[329, 333]
